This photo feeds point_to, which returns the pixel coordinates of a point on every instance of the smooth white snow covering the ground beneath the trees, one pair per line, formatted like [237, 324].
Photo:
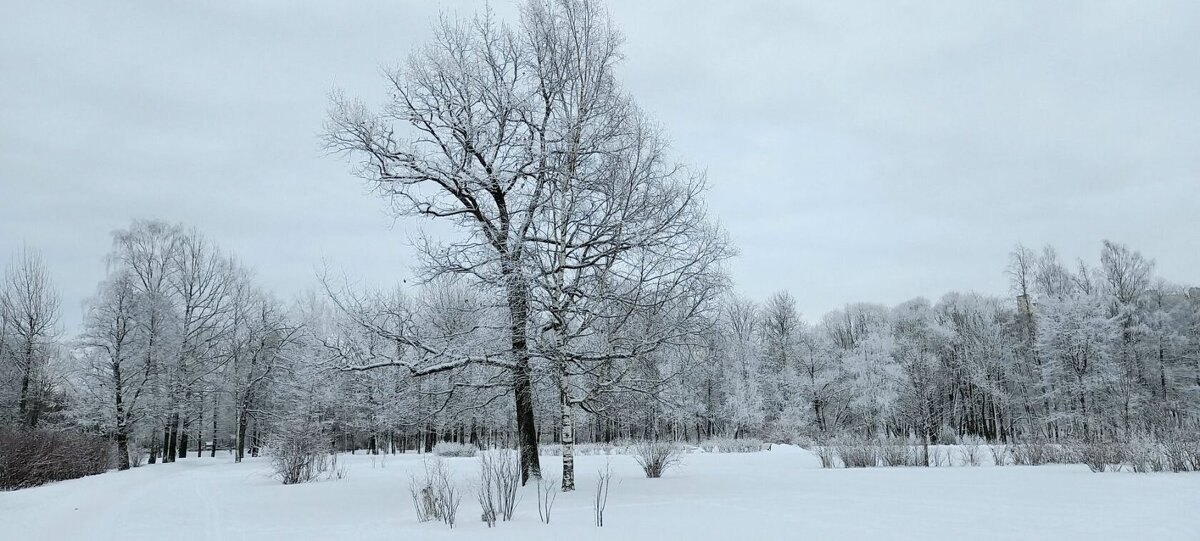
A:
[776, 495]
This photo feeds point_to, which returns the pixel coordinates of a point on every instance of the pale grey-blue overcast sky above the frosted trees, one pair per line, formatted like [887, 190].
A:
[857, 151]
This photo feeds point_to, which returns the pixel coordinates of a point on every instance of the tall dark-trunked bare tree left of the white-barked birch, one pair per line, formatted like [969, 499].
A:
[476, 121]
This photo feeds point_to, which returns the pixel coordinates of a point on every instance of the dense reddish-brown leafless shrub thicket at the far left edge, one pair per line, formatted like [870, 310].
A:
[33, 458]
